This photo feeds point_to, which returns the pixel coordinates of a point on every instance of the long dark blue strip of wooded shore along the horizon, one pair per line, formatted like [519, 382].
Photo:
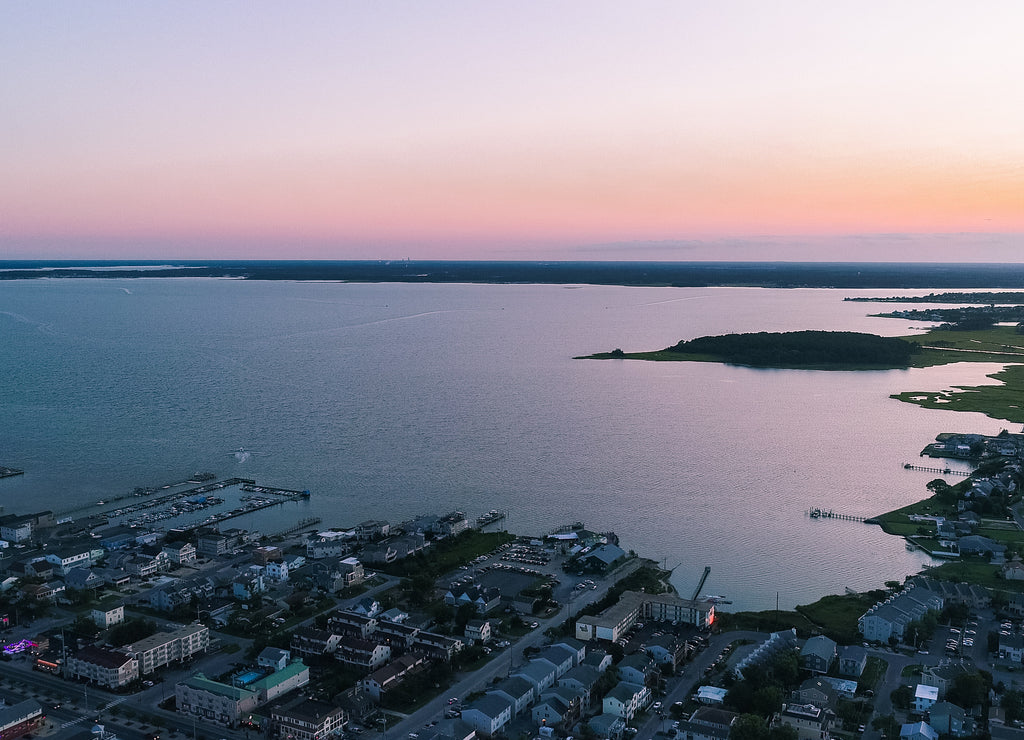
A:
[681, 275]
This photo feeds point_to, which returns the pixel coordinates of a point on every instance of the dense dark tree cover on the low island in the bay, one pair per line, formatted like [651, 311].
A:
[802, 350]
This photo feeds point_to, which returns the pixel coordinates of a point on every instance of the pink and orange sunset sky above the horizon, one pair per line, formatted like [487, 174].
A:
[490, 129]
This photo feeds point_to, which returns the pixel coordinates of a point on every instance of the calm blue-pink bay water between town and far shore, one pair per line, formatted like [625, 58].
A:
[393, 401]
